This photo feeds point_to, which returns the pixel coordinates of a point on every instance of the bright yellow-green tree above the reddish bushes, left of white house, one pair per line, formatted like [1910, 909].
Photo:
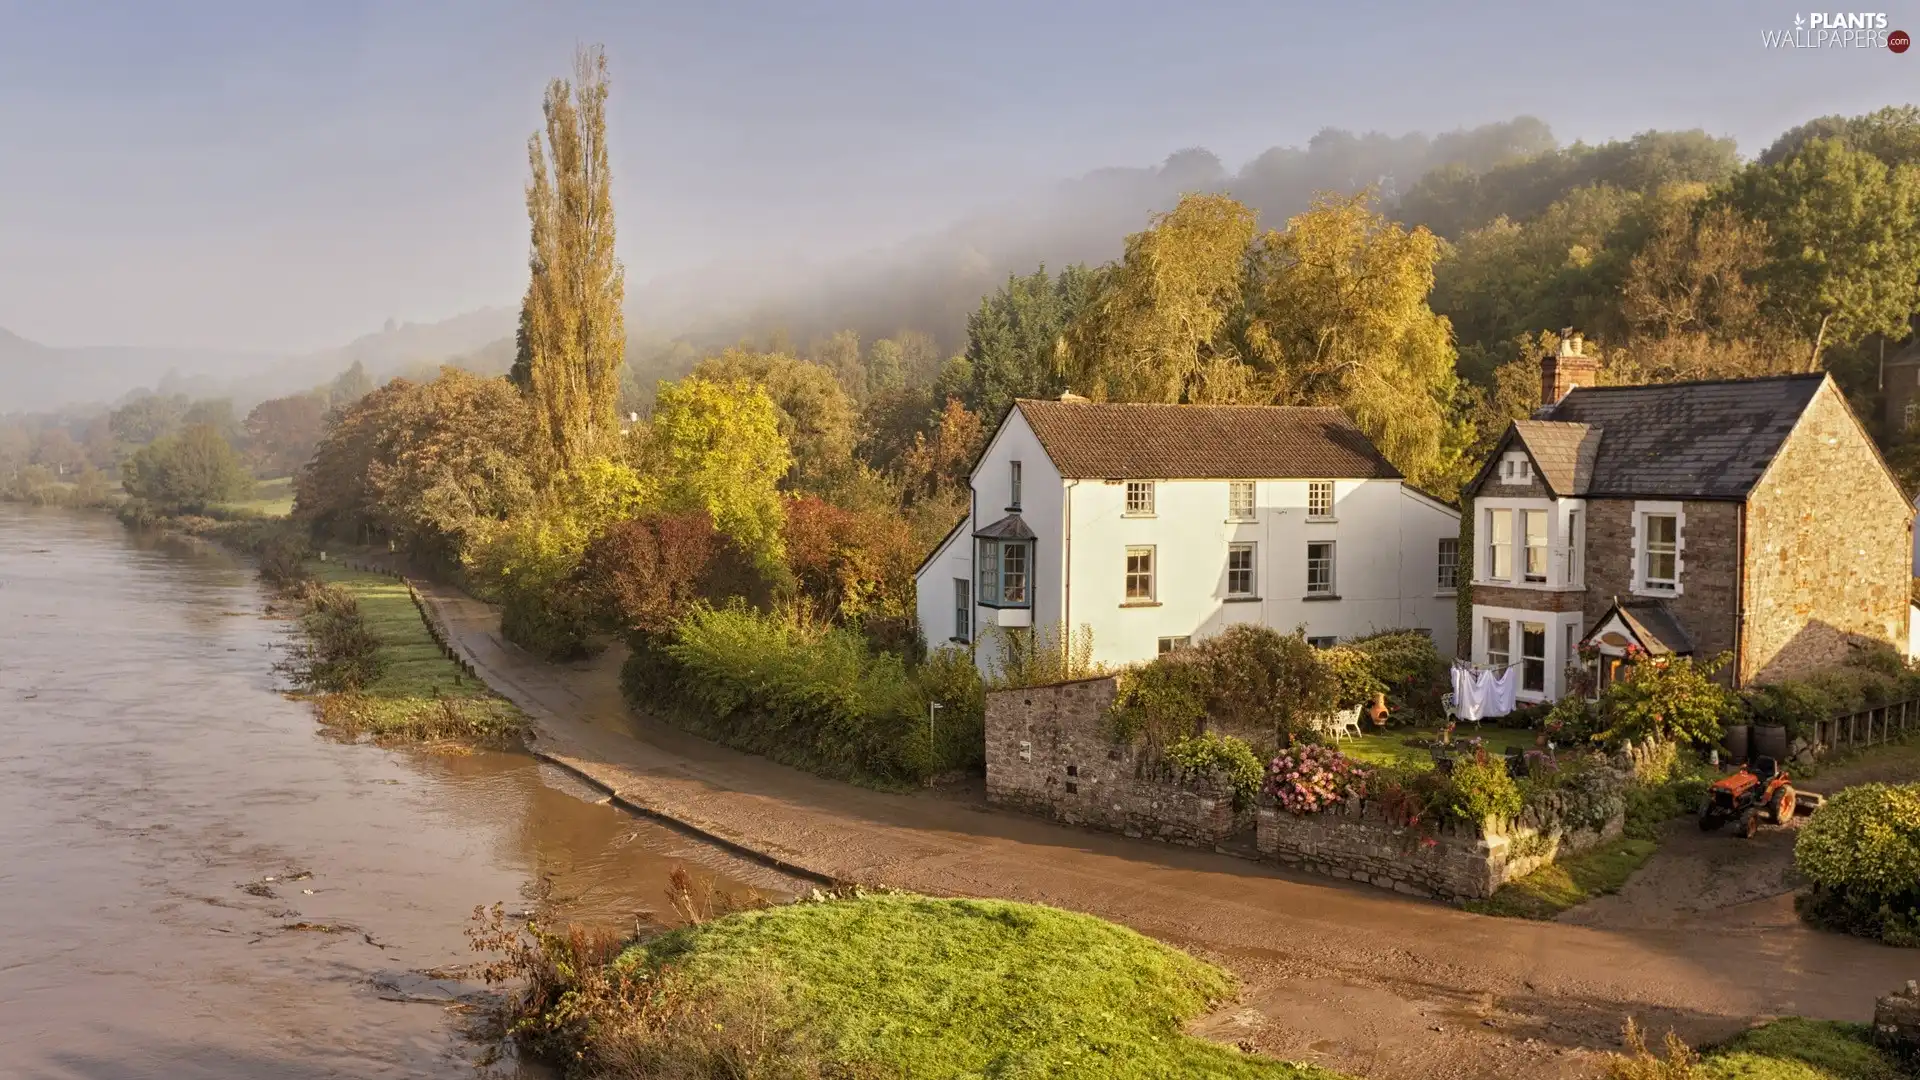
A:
[715, 447]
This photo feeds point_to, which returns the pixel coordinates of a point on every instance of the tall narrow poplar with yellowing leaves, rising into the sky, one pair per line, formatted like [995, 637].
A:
[573, 326]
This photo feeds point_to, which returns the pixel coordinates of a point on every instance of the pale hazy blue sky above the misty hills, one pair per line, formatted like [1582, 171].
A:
[289, 176]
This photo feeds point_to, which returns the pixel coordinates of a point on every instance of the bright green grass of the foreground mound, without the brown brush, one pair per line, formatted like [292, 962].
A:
[974, 989]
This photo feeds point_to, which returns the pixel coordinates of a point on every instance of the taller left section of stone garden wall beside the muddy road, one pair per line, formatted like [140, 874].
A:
[1051, 752]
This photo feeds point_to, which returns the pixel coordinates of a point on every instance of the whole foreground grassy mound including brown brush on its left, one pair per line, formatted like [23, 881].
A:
[888, 987]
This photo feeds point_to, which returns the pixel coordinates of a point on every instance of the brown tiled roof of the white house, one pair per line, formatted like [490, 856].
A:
[1203, 443]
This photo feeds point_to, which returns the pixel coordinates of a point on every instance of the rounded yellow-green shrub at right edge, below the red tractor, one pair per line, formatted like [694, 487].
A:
[1863, 856]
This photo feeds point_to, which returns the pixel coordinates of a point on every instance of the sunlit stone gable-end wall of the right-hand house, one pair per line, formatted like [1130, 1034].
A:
[1829, 549]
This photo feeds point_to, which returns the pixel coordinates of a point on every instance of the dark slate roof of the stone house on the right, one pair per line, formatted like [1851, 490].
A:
[1685, 441]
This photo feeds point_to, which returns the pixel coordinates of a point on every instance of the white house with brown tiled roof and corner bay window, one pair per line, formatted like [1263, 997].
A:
[1157, 526]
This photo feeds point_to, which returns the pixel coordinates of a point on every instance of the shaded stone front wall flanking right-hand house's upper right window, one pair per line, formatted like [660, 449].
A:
[1710, 568]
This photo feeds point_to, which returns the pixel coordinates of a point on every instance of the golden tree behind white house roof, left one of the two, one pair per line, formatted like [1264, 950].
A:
[1153, 330]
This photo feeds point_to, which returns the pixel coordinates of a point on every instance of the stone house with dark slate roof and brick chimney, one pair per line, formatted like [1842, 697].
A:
[1744, 516]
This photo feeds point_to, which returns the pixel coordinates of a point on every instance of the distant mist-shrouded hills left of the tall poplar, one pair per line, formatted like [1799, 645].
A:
[37, 378]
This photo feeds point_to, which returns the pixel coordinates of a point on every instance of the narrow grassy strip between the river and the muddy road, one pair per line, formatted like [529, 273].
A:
[416, 693]
